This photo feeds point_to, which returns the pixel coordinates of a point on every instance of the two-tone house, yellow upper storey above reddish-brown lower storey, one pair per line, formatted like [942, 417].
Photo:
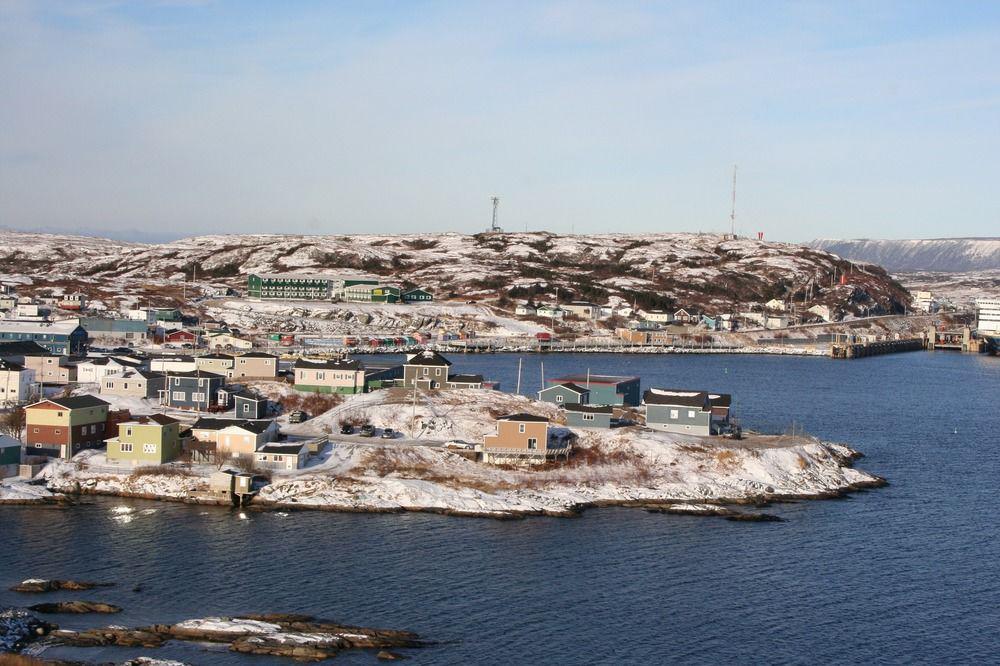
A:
[60, 427]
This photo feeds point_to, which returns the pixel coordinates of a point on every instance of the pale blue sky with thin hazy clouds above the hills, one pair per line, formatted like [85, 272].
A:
[169, 118]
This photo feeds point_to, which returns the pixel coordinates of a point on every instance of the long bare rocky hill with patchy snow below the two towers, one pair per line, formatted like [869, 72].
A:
[650, 270]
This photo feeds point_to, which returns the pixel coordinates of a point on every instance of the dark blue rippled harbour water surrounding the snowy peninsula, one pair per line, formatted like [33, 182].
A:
[907, 573]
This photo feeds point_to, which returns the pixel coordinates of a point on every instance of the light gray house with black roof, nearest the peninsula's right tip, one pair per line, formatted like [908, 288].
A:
[691, 412]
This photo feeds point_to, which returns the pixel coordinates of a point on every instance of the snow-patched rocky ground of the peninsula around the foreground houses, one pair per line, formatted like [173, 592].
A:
[416, 472]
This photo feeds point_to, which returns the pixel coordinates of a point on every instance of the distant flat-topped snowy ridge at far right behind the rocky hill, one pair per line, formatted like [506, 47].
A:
[937, 254]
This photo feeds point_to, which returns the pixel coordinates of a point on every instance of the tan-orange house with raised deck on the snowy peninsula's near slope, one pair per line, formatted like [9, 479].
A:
[525, 438]
